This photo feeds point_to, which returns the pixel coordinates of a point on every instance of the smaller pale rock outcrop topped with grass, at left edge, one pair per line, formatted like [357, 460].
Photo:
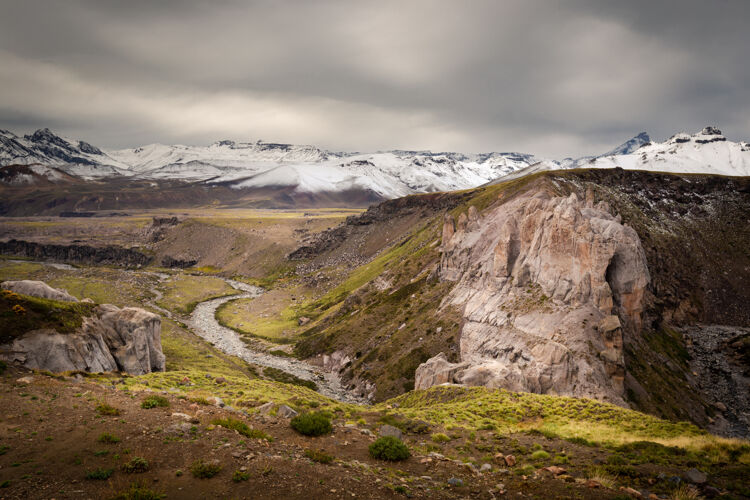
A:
[112, 339]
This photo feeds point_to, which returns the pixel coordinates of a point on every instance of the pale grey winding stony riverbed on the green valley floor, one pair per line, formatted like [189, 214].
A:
[203, 323]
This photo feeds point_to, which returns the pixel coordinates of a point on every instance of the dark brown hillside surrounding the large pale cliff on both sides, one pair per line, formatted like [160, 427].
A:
[392, 314]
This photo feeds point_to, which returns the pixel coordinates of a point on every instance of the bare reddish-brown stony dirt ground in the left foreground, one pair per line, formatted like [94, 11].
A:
[49, 430]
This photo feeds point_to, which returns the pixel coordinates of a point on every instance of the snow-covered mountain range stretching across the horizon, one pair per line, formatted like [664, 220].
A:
[311, 170]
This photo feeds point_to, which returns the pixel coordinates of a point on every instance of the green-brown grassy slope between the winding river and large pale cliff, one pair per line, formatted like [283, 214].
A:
[386, 315]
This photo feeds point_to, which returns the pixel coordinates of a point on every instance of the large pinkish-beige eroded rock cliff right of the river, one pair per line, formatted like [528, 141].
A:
[547, 285]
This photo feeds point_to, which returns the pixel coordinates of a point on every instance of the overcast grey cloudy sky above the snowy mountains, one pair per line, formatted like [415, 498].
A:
[556, 78]
